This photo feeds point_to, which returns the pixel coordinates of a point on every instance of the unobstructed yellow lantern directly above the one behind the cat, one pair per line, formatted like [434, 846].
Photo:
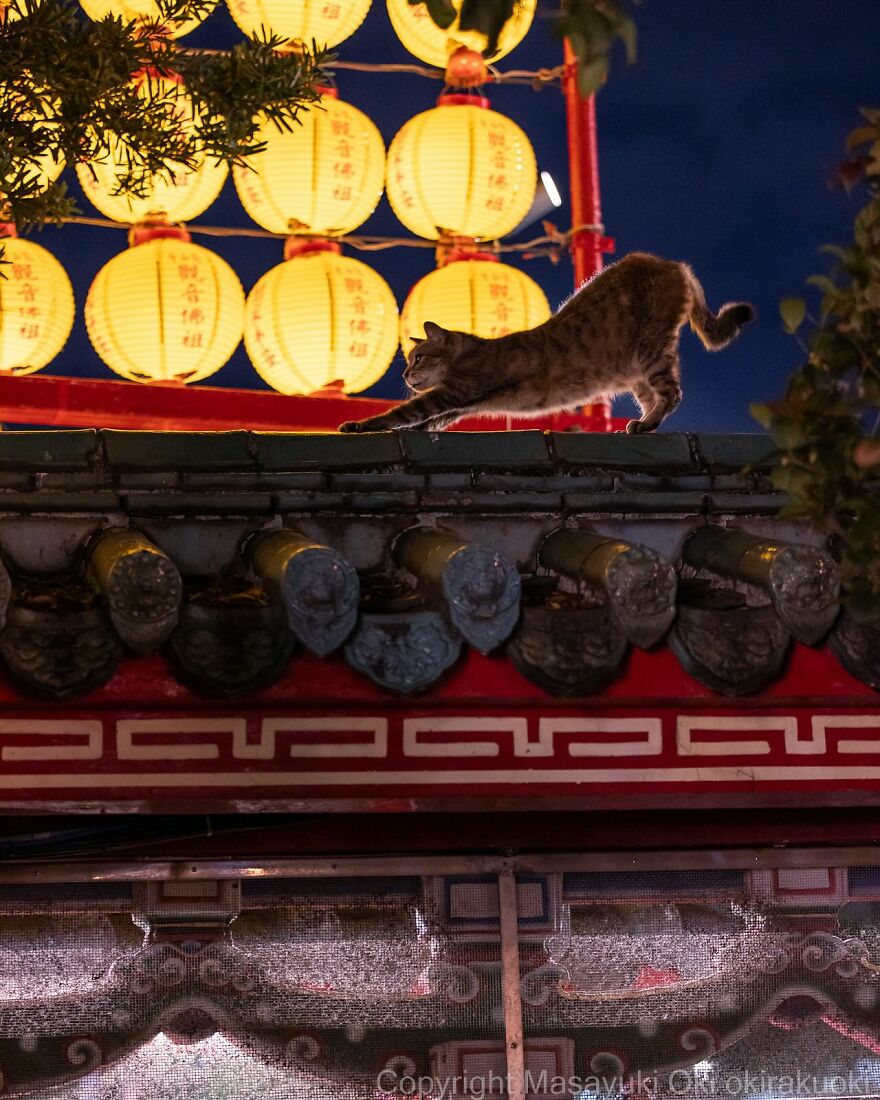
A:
[461, 170]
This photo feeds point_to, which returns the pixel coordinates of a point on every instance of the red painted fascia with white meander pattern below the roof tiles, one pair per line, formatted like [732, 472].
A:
[487, 739]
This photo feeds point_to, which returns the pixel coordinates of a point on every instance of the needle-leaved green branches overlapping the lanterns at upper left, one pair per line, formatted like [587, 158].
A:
[67, 93]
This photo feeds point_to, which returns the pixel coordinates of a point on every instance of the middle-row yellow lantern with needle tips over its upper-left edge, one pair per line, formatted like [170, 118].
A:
[325, 177]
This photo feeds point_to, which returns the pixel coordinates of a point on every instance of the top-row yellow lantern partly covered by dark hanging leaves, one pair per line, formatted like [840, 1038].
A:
[428, 42]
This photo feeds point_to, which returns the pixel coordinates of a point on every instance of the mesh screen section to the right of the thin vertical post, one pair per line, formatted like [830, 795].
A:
[708, 985]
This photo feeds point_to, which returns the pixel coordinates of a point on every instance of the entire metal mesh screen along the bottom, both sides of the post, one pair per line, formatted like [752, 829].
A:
[703, 985]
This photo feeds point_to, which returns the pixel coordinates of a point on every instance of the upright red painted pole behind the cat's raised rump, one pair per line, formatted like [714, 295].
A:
[589, 246]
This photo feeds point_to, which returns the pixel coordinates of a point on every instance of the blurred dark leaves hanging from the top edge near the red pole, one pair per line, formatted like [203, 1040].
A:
[592, 27]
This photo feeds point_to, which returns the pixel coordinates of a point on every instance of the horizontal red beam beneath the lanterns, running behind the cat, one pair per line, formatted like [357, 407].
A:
[101, 403]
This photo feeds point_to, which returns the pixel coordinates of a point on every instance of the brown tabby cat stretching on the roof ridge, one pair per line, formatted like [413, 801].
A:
[618, 334]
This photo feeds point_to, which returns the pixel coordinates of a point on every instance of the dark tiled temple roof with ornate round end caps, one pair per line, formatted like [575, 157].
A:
[559, 549]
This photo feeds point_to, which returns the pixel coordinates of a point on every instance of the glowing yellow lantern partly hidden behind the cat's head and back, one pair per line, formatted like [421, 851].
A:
[476, 295]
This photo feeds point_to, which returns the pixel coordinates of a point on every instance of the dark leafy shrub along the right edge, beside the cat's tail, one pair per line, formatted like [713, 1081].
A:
[828, 422]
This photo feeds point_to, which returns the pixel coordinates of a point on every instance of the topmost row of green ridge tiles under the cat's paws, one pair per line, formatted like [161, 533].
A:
[673, 454]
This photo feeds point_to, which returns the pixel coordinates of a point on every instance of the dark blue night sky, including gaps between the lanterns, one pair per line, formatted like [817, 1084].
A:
[716, 148]
